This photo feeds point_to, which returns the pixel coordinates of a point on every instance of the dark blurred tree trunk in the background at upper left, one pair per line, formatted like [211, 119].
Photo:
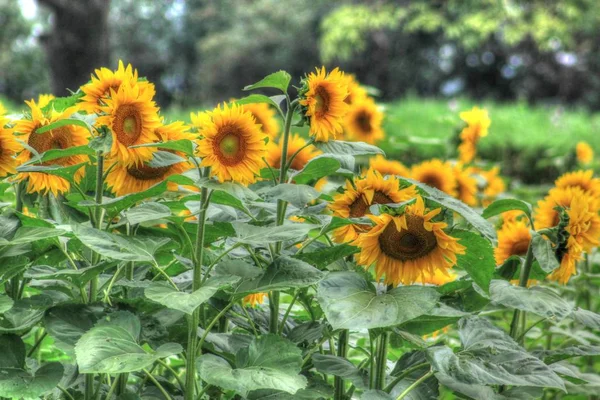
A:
[78, 42]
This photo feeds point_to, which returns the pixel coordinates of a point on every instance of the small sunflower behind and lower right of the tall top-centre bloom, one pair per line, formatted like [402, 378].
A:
[363, 122]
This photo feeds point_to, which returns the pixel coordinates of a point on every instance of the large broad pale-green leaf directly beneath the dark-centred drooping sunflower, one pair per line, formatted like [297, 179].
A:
[350, 302]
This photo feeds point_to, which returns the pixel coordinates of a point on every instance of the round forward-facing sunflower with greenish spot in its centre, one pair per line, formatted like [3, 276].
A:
[232, 143]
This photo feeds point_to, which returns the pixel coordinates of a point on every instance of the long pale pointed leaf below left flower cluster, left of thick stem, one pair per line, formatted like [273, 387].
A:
[119, 247]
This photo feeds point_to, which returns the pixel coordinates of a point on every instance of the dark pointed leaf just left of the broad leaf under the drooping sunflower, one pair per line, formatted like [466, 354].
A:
[284, 273]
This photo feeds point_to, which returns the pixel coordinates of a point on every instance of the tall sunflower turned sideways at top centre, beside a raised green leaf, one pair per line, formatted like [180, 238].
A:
[322, 98]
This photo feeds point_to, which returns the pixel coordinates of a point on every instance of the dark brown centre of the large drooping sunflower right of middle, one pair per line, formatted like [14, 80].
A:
[409, 244]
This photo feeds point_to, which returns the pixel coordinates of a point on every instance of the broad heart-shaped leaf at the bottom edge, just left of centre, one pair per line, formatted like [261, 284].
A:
[269, 362]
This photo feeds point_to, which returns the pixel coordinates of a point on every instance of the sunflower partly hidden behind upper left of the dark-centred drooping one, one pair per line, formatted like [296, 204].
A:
[360, 195]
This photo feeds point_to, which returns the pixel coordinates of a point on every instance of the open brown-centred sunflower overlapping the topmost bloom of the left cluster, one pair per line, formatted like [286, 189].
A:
[132, 117]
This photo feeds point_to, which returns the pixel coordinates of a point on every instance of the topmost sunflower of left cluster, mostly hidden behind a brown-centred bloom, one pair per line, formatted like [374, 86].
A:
[99, 89]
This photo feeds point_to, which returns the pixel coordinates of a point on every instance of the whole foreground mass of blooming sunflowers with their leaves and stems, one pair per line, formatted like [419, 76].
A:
[268, 249]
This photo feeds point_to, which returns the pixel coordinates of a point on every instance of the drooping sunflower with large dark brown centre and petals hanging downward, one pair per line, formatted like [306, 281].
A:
[407, 247]
